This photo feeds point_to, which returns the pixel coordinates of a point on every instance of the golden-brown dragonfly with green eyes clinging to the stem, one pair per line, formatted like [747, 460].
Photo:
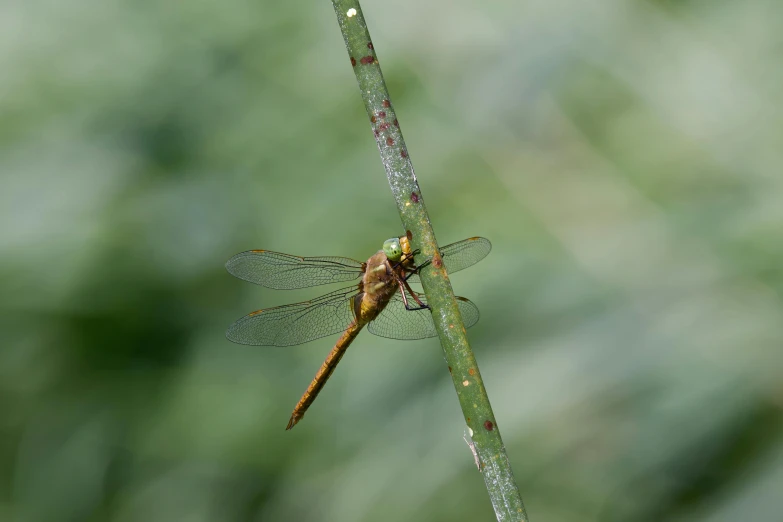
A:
[382, 300]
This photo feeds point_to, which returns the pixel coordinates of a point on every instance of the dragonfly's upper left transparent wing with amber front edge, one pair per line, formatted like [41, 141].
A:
[286, 272]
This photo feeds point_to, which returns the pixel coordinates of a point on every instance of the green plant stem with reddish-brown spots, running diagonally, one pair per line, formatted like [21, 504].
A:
[485, 435]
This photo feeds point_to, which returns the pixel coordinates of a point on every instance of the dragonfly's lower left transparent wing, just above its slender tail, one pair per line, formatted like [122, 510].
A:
[296, 323]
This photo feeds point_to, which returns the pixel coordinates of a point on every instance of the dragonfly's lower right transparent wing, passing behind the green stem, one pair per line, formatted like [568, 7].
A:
[396, 322]
